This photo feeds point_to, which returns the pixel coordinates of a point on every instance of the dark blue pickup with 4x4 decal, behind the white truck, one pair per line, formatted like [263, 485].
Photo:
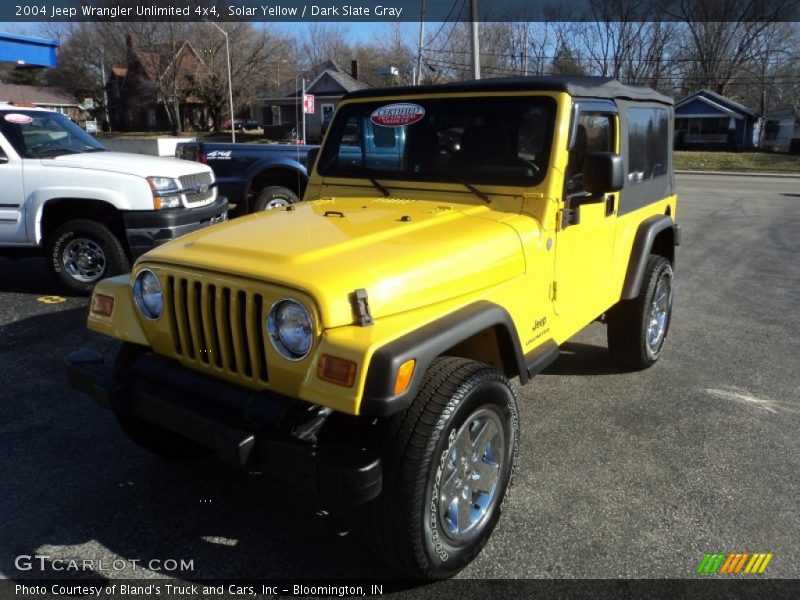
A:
[253, 177]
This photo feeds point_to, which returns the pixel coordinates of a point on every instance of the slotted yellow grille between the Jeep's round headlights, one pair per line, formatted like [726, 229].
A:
[218, 327]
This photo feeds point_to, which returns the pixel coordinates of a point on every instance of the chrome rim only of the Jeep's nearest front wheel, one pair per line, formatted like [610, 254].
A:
[471, 475]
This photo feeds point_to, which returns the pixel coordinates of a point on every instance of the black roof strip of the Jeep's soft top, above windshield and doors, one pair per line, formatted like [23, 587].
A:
[591, 87]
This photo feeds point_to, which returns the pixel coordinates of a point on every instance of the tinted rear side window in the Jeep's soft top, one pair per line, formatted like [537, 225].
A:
[648, 144]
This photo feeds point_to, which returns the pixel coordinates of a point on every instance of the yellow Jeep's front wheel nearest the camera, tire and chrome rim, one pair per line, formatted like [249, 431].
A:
[447, 462]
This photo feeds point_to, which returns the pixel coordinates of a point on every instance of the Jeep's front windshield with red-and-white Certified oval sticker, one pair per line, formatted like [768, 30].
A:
[491, 141]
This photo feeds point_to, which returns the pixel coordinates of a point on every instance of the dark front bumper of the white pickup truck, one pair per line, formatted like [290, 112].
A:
[147, 229]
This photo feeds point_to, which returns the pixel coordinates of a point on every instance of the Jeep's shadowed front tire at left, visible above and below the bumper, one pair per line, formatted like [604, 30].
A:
[146, 435]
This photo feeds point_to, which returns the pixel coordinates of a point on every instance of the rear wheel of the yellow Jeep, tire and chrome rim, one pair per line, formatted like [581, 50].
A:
[638, 327]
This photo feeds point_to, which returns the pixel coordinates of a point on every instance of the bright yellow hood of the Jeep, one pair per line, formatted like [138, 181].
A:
[406, 253]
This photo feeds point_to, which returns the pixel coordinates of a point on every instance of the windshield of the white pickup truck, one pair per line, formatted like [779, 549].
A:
[37, 134]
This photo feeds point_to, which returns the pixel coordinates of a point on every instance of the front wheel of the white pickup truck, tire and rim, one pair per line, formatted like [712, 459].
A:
[82, 252]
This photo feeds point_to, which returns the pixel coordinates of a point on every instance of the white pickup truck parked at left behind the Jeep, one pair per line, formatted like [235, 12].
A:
[90, 211]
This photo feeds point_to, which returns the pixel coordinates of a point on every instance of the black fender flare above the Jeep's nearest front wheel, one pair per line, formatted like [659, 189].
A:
[434, 339]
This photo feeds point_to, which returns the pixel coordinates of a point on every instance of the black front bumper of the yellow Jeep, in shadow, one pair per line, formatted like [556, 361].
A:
[250, 430]
